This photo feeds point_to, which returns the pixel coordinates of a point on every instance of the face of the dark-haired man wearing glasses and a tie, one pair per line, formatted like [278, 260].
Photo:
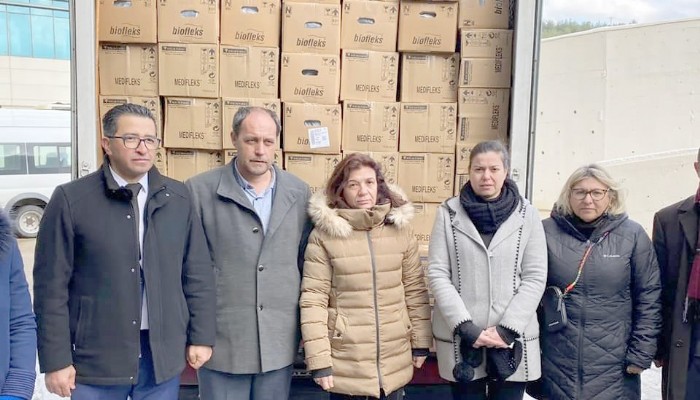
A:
[131, 164]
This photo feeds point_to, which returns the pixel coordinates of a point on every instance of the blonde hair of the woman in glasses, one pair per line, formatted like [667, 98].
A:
[595, 171]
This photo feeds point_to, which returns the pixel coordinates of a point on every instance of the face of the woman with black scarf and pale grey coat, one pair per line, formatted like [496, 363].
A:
[487, 174]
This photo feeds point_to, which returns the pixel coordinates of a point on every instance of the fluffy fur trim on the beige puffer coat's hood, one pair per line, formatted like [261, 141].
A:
[329, 219]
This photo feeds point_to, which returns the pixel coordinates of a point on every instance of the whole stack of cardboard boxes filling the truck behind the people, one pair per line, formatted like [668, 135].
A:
[413, 83]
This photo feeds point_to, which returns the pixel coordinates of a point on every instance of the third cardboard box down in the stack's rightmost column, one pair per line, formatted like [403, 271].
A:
[485, 72]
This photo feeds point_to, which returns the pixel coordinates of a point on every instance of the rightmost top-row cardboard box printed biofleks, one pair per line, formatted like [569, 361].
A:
[426, 26]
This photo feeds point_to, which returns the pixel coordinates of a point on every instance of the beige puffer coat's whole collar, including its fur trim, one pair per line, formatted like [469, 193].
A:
[341, 222]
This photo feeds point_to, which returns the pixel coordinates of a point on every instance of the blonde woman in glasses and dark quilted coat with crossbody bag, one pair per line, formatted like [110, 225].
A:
[613, 308]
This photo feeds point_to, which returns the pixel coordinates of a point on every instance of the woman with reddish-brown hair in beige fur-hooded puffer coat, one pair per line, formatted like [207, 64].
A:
[365, 315]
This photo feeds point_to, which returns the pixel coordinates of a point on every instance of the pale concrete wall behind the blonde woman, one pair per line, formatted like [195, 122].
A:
[628, 97]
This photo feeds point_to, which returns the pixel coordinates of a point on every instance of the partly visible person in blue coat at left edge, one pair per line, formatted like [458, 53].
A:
[17, 326]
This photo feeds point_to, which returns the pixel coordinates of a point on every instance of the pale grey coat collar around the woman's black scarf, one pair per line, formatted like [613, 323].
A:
[464, 224]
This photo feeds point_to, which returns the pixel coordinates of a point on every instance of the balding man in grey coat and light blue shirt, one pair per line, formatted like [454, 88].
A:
[256, 225]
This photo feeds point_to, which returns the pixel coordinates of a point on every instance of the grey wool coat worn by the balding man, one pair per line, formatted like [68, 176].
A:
[257, 275]
